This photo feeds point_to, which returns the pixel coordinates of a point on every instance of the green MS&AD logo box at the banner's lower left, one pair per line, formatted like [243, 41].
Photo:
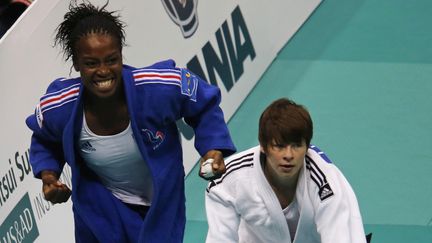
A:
[20, 225]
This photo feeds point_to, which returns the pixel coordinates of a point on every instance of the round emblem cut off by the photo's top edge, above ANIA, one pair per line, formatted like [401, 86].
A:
[184, 14]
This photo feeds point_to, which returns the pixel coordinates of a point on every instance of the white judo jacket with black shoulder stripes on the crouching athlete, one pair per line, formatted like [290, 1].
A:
[242, 207]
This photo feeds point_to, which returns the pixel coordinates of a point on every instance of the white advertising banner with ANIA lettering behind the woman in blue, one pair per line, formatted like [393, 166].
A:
[230, 43]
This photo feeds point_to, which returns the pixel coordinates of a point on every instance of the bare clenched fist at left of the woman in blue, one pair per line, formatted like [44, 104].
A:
[53, 190]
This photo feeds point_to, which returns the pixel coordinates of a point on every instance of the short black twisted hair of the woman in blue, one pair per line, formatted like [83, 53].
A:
[85, 18]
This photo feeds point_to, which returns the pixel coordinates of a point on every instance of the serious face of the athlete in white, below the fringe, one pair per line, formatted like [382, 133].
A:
[284, 161]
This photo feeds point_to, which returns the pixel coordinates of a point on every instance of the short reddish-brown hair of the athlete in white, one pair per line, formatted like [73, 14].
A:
[285, 122]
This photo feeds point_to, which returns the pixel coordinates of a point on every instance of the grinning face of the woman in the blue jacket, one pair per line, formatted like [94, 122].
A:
[99, 61]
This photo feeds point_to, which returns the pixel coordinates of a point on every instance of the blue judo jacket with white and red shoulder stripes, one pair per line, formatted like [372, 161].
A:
[157, 96]
